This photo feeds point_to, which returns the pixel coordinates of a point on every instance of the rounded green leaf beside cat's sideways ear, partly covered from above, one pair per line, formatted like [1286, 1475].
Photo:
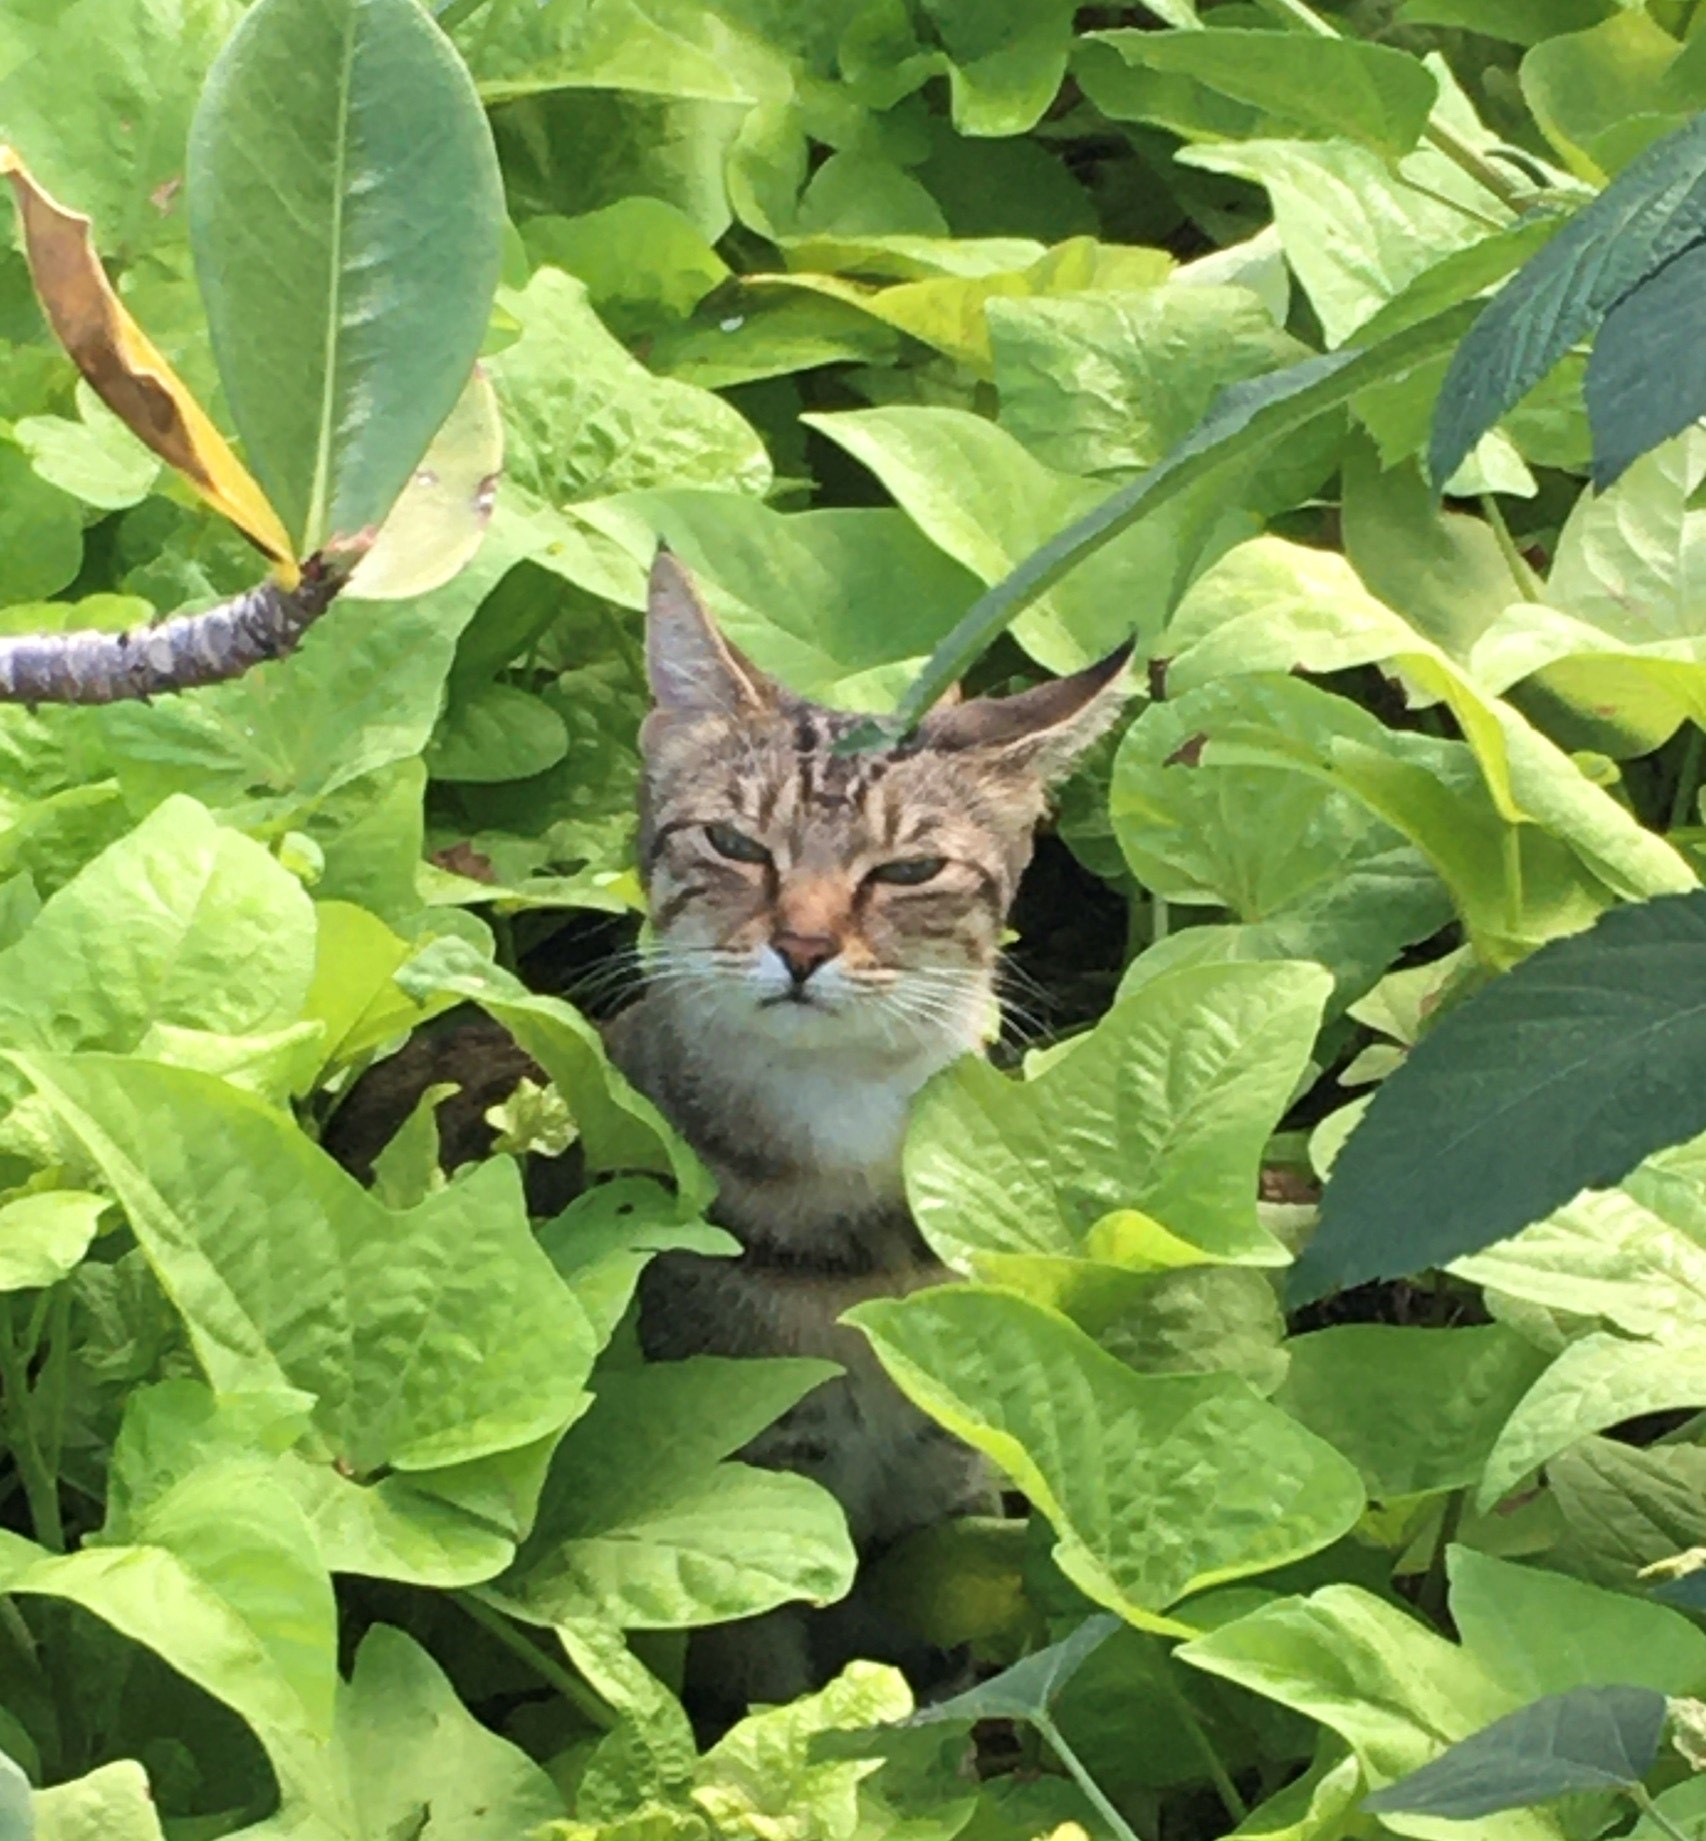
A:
[1304, 870]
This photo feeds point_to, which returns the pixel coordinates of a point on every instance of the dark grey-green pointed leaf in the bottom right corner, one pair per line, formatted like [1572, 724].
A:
[1589, 1739]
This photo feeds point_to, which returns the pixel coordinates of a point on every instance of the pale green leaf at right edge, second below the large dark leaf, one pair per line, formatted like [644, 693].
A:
[1595, 1385]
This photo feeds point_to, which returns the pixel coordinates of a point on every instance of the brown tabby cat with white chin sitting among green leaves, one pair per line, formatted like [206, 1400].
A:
[825, 938]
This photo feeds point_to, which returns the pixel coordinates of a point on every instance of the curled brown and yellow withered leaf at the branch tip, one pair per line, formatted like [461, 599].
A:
[128, 373]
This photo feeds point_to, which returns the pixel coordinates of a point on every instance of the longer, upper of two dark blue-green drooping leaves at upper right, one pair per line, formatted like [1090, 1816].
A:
[1646, 218]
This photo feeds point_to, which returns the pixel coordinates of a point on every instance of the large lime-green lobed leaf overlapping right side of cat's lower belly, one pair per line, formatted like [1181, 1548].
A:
[1157, 1487]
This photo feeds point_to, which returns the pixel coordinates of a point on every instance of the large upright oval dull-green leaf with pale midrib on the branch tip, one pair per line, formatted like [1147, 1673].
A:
[327, 137]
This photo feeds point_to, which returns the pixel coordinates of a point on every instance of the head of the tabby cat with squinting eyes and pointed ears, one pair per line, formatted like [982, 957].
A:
[829, 901]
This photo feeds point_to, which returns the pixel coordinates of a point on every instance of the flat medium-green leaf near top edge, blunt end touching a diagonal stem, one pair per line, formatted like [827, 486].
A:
[1339, 89]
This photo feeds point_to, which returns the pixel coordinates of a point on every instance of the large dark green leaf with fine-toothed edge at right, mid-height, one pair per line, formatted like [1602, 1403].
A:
[1547, 1083]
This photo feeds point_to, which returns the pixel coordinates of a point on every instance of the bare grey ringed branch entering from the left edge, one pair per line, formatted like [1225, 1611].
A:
[179, 654]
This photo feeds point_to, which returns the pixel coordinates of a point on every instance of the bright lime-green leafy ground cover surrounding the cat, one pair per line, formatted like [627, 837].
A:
[354, 1514]
